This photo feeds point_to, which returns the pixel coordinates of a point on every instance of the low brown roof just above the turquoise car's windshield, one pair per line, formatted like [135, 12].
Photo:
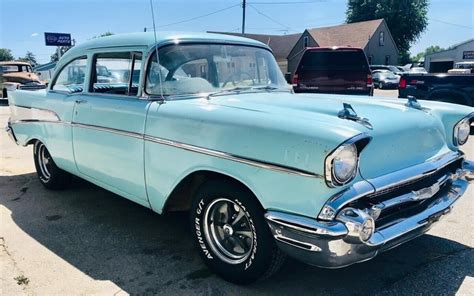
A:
[281, 45]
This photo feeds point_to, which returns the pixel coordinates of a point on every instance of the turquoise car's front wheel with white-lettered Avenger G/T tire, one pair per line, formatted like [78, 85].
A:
[231, 234]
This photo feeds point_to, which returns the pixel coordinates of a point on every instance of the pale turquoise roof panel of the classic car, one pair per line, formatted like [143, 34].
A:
[147, 39]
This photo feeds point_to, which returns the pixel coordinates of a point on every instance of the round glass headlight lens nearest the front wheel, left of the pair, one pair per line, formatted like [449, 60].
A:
[344, 165]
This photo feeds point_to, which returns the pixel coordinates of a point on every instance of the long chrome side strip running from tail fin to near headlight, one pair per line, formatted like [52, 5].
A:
[188, 147]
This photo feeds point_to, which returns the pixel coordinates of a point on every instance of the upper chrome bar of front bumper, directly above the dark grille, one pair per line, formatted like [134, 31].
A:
[365, 187]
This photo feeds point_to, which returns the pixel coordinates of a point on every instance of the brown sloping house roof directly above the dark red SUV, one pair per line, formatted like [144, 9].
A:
[354, 34]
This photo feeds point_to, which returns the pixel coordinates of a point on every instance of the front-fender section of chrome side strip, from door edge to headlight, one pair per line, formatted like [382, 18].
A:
[236, 158]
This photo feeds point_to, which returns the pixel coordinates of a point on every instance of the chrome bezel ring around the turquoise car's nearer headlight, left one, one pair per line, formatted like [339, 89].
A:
[355, 145]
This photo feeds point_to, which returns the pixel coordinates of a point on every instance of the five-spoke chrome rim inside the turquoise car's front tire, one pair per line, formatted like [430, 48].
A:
[228, 230]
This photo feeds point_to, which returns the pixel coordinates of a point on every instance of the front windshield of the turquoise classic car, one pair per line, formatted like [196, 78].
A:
[208, 68]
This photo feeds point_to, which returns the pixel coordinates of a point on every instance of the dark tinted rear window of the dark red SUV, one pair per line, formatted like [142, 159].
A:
[353, 60]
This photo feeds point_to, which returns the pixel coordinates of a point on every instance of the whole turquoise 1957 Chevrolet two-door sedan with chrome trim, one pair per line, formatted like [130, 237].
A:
[206, 123]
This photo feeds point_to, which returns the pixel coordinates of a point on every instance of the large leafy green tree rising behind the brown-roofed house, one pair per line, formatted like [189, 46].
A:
[406, 19]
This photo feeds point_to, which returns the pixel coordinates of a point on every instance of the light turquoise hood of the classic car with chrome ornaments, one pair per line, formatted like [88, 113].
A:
[401, 136]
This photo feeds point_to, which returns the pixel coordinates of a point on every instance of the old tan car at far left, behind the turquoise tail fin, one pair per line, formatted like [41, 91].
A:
[18, 75]
